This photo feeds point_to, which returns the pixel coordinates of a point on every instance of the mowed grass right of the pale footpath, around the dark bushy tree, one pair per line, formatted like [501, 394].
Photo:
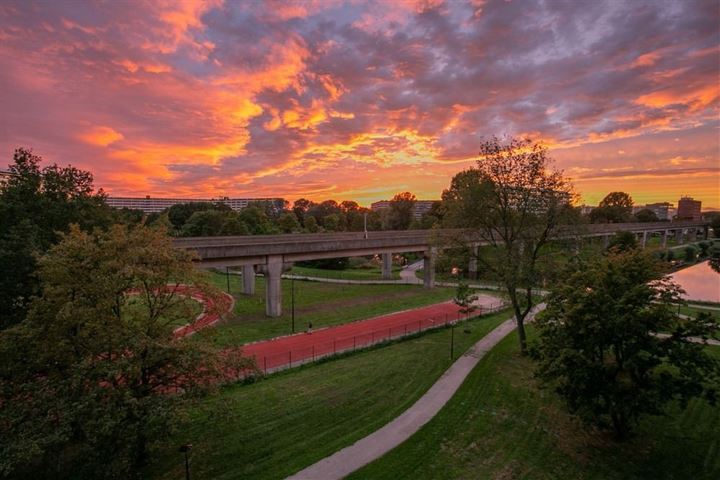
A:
[501, 425]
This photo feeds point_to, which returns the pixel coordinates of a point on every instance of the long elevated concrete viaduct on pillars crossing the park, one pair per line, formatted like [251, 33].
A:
[270, 253]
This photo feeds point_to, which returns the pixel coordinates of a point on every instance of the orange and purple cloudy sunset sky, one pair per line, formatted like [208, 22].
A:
[359, 100]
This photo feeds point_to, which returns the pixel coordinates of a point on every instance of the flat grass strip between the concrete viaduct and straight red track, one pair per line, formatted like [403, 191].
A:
[323, 304]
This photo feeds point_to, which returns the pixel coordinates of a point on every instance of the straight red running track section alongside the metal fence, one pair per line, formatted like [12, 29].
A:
[287, 351]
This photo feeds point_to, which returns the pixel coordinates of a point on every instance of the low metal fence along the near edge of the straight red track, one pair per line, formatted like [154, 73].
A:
[314, 351]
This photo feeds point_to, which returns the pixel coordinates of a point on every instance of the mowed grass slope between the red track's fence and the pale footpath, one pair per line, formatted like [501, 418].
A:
[288, 421]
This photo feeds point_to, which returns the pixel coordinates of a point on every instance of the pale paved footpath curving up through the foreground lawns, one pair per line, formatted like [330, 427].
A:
[378, 443]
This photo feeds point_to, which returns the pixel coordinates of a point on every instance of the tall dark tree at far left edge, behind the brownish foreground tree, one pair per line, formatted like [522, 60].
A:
[35, 205]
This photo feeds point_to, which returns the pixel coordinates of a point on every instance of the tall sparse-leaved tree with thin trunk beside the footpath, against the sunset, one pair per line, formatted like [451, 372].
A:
[514, 203]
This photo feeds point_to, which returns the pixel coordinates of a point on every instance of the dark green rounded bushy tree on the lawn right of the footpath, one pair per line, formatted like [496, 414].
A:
[599, 344]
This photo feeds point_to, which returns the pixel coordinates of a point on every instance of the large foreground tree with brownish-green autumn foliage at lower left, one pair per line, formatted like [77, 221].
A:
[86, 379]
